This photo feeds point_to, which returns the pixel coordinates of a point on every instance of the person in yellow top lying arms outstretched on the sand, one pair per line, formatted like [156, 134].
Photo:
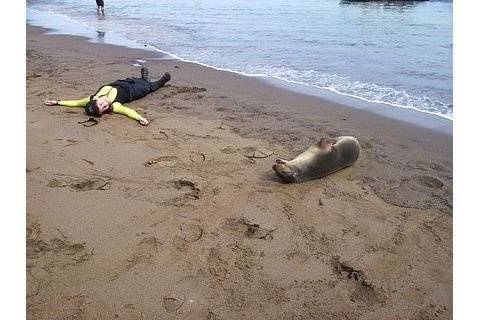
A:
[110, 98]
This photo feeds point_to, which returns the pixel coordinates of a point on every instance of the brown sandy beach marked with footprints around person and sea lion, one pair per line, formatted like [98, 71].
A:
[185, 218]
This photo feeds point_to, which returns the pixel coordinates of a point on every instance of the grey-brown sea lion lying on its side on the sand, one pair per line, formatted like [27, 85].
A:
[319, 160]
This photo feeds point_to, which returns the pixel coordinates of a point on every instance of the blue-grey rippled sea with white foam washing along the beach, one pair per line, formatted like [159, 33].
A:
[395, 53]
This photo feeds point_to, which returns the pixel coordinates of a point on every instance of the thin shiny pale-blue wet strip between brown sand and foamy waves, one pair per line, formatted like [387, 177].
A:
[410, 115]
